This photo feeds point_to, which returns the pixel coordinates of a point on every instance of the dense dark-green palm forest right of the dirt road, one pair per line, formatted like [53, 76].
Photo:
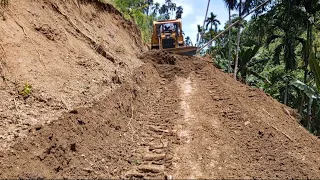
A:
[276, 50]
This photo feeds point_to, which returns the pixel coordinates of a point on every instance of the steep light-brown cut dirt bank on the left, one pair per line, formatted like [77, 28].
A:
[71, 52]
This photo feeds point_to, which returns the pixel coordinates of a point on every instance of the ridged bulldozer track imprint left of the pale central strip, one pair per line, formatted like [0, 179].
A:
[155, 153]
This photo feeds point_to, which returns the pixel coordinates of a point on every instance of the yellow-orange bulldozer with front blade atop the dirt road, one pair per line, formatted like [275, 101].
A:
[167, 35]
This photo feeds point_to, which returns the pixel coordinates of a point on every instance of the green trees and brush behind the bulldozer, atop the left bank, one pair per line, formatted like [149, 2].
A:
[144, 12]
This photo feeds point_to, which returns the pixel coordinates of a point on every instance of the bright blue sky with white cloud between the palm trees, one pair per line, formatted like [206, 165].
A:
[194, 14]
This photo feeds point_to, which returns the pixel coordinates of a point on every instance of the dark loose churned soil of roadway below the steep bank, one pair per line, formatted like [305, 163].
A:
[174, 117]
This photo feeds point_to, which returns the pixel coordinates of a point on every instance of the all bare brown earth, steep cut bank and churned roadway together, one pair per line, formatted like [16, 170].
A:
[104, 107]
